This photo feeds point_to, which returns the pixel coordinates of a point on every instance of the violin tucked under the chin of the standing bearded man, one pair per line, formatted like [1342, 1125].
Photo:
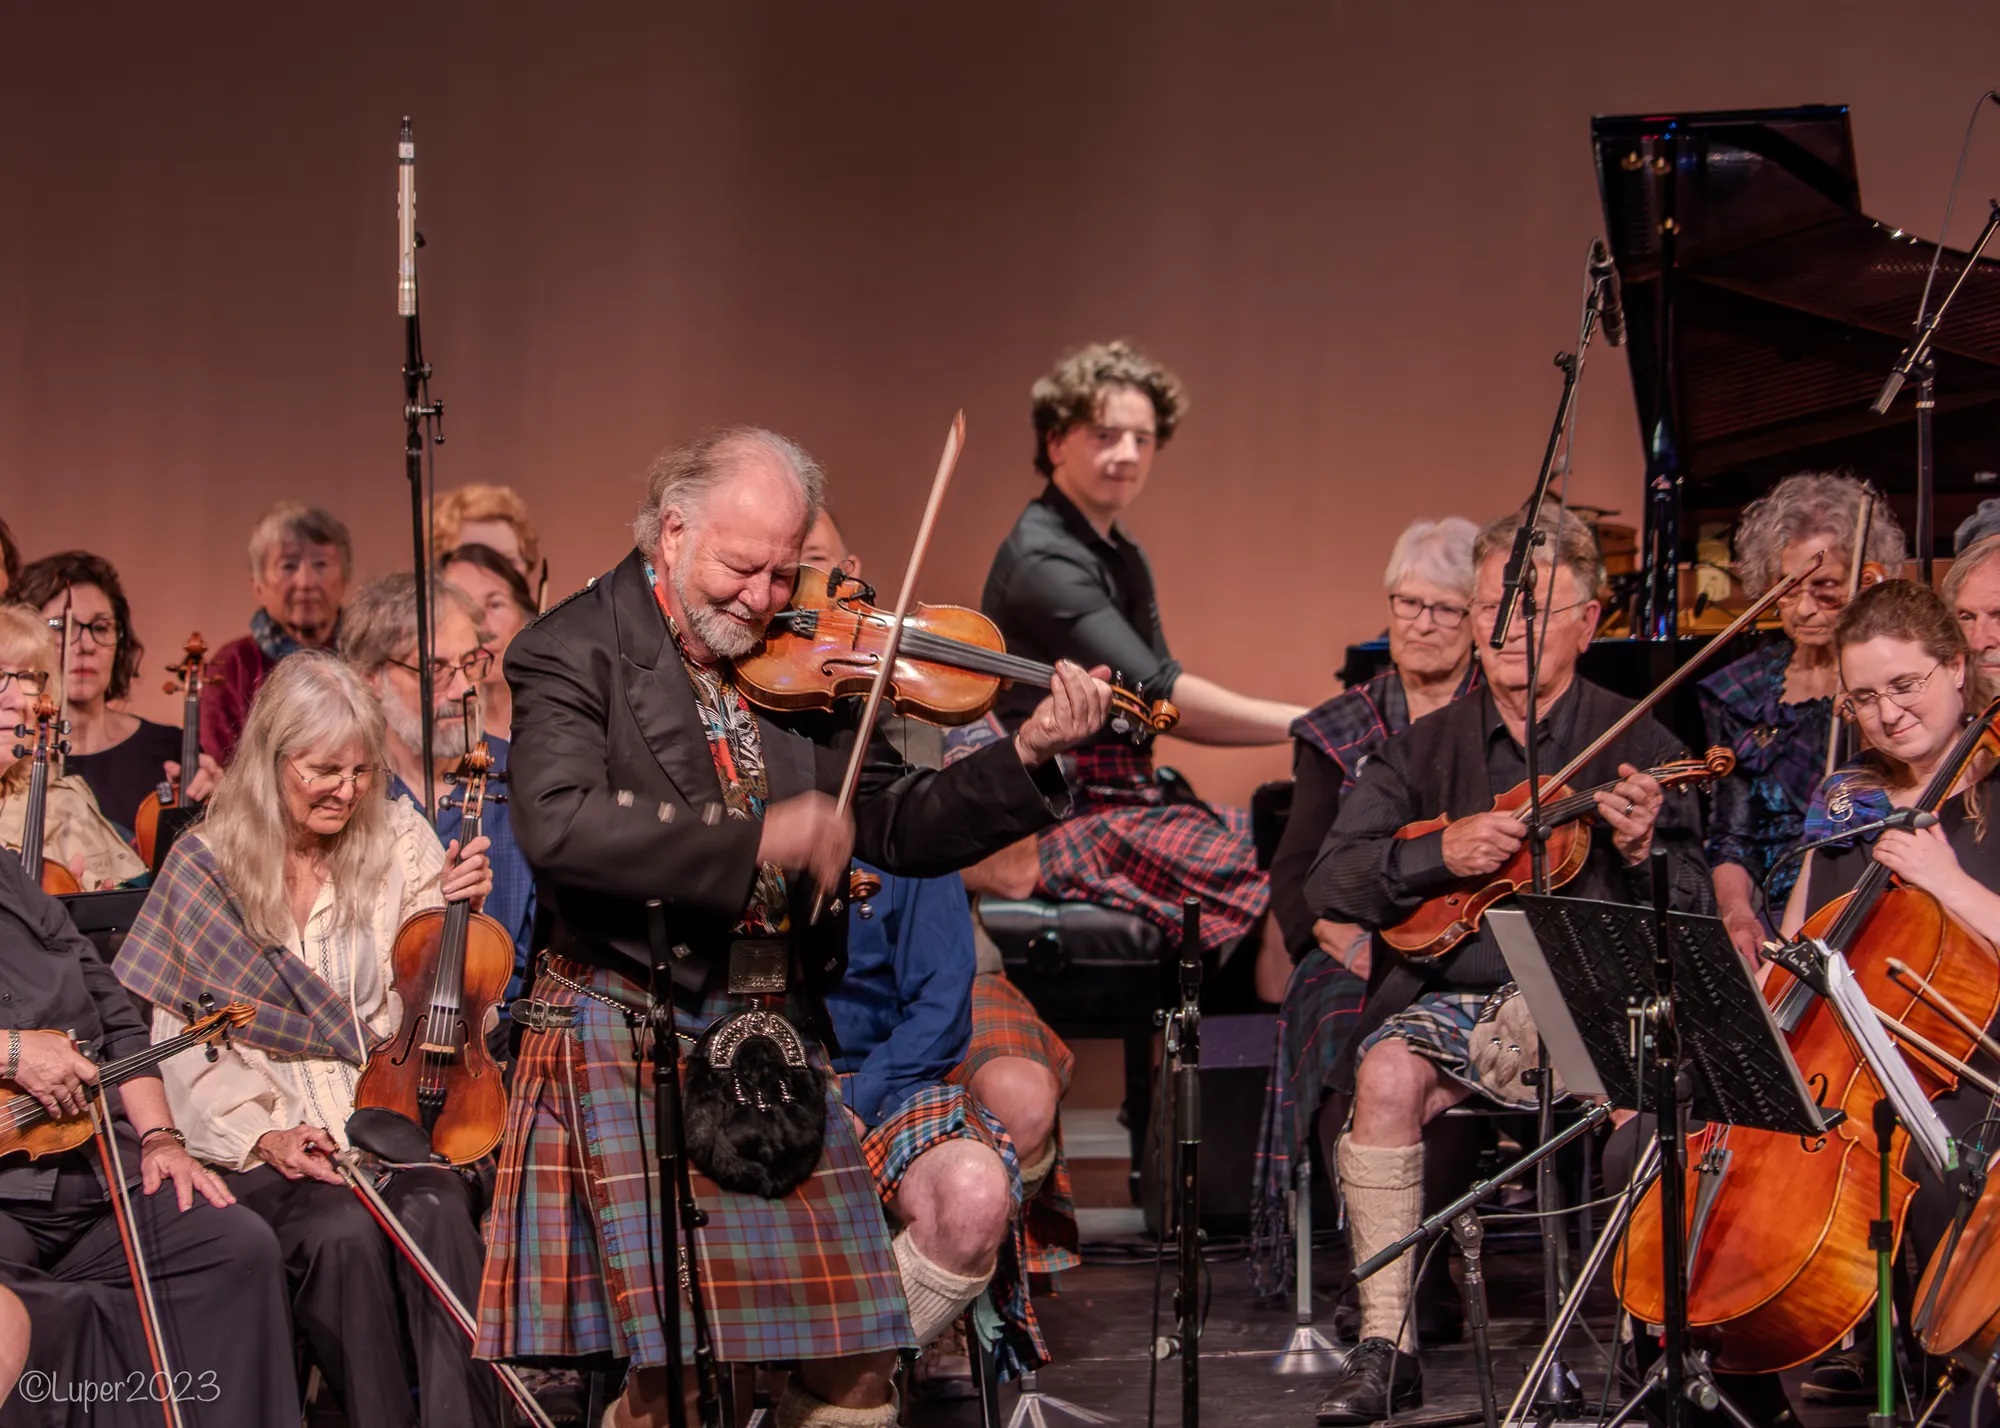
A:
[949, 669]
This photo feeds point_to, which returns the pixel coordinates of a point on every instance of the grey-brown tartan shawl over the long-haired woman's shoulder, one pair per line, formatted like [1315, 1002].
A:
[191, 939]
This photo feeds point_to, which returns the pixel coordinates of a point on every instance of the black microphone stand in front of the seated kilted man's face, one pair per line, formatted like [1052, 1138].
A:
[1519, 595]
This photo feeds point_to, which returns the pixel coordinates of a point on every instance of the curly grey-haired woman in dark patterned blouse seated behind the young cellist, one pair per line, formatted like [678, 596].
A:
[1775, 707]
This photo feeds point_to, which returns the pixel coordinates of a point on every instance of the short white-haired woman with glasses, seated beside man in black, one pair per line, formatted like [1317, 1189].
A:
[1429, 597]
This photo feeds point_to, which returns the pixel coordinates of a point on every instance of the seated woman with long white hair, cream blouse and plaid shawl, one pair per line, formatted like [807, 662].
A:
[291, 891]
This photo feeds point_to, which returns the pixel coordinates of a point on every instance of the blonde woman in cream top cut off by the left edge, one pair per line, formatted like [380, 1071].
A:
[75, 831]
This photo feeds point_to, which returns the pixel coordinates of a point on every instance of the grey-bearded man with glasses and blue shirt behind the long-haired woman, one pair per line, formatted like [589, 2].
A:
[379, 641]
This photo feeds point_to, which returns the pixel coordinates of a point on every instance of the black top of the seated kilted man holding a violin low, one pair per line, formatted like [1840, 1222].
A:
[1457, 763]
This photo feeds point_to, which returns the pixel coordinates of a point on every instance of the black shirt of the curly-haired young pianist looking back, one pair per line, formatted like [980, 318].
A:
[1059, 591]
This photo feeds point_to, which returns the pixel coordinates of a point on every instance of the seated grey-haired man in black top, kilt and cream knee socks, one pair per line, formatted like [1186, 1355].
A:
[1413, 1049]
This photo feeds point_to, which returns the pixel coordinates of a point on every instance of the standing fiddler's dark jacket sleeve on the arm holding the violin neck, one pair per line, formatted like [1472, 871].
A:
[929, 823]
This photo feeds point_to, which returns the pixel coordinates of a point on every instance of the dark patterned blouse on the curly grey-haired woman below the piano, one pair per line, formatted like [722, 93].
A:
[1781, 747]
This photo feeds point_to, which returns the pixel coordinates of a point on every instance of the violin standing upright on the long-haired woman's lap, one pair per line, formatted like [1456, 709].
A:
[453, 967]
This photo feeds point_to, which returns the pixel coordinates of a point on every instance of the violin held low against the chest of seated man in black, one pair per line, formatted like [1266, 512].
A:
[1451, 917]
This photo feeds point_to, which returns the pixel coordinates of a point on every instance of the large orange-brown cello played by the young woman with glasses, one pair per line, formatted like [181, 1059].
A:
[1783, 1267]
